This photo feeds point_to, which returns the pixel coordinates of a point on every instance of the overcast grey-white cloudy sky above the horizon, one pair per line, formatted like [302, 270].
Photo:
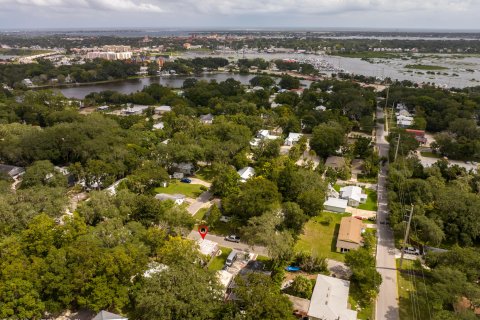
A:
[430, 14]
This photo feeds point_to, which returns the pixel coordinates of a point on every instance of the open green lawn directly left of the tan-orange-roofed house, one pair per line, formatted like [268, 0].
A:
[321, 239]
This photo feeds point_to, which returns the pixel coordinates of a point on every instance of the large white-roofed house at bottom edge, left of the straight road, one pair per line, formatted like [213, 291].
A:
[330, 300]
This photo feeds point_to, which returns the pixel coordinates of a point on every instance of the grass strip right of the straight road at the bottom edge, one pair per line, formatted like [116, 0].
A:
[409, 287]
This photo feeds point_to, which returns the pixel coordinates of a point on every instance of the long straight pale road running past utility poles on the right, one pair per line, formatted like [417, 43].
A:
[387, 300]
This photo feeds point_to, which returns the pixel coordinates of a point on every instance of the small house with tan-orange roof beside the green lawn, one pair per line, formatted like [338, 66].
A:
[350, 234]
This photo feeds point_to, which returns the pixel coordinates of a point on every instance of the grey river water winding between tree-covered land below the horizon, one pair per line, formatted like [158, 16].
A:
[463, 71]
